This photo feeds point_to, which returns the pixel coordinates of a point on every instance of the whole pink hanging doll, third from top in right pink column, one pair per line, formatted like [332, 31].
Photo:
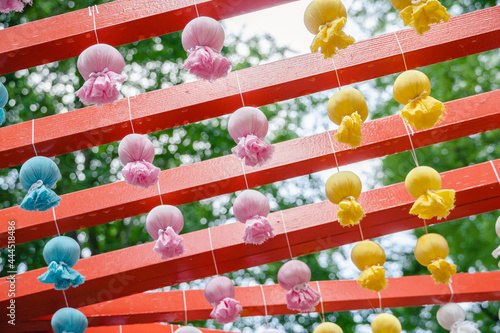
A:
[251, 207]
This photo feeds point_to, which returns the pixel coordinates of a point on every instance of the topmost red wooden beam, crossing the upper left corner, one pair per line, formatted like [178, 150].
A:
[117, 23]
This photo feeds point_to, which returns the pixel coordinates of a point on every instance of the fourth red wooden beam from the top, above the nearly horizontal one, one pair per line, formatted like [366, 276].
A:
[310, 228]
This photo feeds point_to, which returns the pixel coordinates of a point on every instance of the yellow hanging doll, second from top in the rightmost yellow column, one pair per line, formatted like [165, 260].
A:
[412, 88]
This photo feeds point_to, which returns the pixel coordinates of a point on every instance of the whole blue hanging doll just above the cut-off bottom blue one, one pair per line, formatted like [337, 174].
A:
[61, 254]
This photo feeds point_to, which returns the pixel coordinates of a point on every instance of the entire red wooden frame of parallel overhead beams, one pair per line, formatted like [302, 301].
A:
[107, 297]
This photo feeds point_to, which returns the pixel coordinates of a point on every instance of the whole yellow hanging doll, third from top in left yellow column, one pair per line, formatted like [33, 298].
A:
[344, 189]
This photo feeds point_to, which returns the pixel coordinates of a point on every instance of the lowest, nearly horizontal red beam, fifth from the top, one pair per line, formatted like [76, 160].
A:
[337, 296]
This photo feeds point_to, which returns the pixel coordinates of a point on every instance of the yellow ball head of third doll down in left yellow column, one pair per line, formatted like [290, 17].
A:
[341, 185]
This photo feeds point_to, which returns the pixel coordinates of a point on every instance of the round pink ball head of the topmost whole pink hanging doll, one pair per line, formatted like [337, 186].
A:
[203, 31]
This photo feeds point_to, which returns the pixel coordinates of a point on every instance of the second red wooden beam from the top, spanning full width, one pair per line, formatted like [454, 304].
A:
[298, 76]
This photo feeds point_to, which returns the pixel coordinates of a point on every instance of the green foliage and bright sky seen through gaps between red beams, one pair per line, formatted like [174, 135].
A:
[156, 63]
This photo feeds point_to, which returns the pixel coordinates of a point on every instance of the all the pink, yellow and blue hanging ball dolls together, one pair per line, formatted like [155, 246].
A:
[203, 40]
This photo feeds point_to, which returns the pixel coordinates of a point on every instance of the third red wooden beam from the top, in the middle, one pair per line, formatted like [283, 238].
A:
[222, 175]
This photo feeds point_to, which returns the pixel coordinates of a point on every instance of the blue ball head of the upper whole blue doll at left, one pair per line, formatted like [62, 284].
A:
[39, 168]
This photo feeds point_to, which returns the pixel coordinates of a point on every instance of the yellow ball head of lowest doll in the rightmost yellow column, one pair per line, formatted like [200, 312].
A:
[431, 247]
